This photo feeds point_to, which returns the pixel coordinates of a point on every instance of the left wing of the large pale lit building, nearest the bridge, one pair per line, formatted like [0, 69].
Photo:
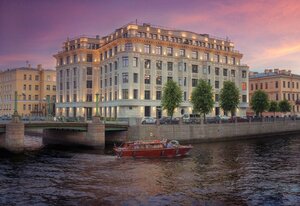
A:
[78, 77]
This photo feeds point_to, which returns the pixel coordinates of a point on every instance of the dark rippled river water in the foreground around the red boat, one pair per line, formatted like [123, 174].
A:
[250, 172]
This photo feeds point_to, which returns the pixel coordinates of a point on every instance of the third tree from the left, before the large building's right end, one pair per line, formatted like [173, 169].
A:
[229, 97]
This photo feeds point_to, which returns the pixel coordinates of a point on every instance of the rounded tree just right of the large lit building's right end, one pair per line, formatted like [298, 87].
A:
[259, 102]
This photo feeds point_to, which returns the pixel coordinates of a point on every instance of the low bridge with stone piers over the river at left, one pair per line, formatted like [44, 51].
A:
[92, 134]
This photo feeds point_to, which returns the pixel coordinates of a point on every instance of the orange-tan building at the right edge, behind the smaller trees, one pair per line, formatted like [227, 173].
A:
[278, 84]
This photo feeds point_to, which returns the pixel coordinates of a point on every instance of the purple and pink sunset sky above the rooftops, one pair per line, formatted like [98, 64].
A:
[266, 32]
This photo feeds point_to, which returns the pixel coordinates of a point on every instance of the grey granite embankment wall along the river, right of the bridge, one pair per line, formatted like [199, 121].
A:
[213, 132]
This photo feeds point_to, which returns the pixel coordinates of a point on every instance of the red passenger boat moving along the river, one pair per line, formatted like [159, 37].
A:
[154, 148]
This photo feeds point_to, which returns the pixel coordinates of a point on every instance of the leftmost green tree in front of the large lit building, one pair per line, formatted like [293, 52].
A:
[171, 97]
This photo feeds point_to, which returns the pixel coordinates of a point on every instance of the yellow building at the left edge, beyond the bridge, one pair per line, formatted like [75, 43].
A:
[35, 87]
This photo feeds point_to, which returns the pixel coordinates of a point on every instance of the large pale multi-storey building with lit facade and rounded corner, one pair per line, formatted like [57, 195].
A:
[133, 63]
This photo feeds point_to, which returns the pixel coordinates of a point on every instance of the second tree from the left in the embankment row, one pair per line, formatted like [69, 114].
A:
[202, 98]
